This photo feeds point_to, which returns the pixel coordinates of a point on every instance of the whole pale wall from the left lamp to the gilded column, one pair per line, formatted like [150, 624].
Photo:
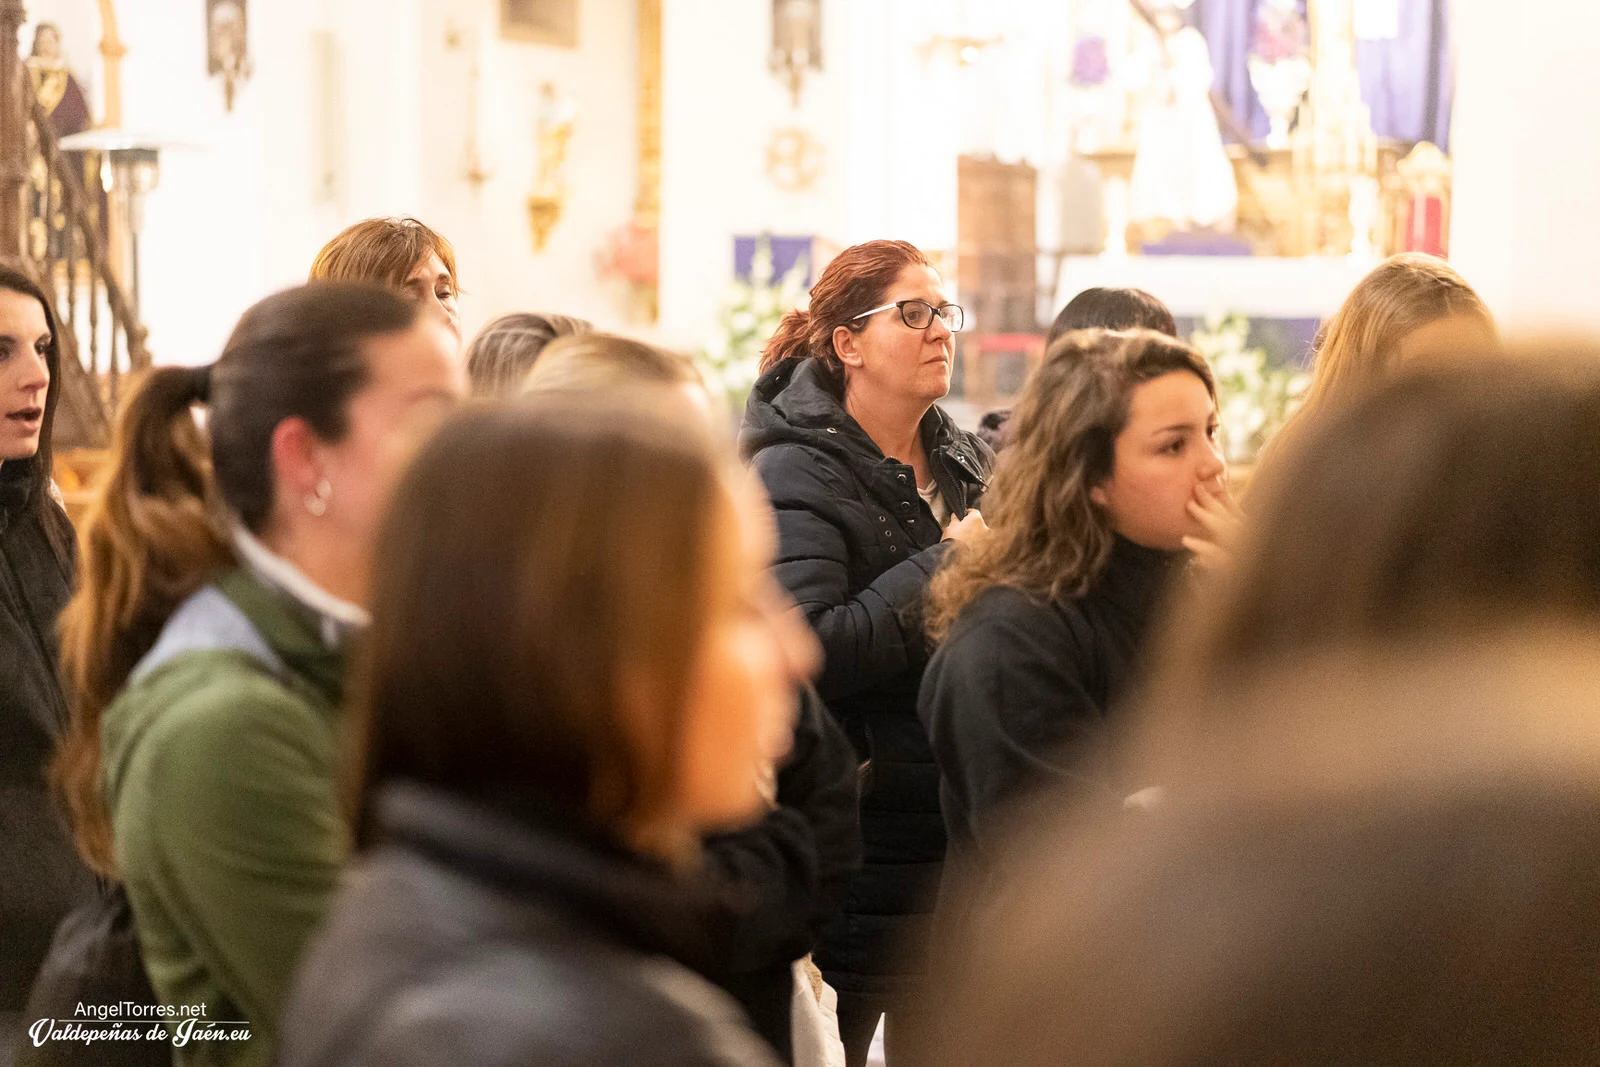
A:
[242, 207]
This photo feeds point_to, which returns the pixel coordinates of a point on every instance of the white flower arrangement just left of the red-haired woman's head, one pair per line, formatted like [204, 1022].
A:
[750, 318]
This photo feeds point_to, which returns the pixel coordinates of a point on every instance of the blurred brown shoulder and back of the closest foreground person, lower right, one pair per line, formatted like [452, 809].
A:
[1383, 857]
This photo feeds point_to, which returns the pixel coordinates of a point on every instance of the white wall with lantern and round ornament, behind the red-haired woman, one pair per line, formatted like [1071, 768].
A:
[894, 121]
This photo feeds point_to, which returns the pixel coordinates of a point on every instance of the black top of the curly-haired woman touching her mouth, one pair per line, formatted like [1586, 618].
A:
[1017, 697]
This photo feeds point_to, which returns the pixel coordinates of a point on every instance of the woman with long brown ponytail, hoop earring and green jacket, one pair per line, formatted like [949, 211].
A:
[225, 572]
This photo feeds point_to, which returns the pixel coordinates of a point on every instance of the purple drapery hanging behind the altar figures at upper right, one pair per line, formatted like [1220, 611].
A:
[1407, 82]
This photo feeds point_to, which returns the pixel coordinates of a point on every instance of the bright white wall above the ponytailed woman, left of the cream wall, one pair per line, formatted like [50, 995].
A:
[242, 204]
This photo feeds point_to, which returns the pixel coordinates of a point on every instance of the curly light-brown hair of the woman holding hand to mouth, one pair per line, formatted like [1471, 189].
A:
[1047, 537]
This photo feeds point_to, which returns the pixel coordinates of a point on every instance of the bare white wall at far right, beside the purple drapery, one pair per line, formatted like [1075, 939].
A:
[1527, 151]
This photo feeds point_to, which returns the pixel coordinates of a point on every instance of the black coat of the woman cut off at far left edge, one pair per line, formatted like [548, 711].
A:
[41, 874]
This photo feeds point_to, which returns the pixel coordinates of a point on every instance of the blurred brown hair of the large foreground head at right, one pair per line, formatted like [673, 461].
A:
[1454, 497]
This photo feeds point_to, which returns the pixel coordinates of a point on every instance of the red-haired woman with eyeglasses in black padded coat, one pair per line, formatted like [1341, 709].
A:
[870, 481]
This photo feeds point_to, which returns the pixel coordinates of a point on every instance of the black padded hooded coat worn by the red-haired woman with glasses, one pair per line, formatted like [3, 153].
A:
[857, 549]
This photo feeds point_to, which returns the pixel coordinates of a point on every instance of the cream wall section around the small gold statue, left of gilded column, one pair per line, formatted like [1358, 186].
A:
[489, 222]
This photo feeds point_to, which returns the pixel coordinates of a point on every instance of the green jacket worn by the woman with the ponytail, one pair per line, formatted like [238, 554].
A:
[220, 775]
